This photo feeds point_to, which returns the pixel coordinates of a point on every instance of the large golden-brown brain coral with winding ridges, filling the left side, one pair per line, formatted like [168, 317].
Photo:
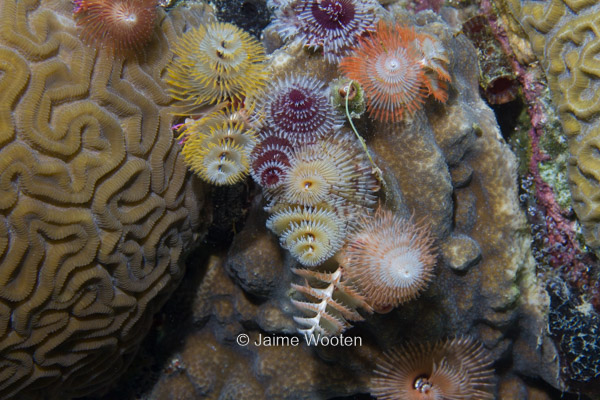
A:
[96, 206]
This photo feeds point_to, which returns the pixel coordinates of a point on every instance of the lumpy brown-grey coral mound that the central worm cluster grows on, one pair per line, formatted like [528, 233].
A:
[447, 166]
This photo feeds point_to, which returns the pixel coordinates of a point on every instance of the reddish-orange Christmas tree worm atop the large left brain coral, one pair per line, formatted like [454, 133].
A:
[120, 26]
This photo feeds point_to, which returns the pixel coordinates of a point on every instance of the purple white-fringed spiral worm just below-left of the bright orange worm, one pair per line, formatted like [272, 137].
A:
[298, 107]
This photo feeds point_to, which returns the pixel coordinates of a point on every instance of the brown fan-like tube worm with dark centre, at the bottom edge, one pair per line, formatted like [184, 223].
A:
[456, 369]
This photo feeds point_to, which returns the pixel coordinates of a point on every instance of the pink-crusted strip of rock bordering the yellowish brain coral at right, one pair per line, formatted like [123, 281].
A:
[554, 228]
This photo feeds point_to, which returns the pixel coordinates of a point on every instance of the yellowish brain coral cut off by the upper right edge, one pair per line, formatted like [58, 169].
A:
[564, 36]
